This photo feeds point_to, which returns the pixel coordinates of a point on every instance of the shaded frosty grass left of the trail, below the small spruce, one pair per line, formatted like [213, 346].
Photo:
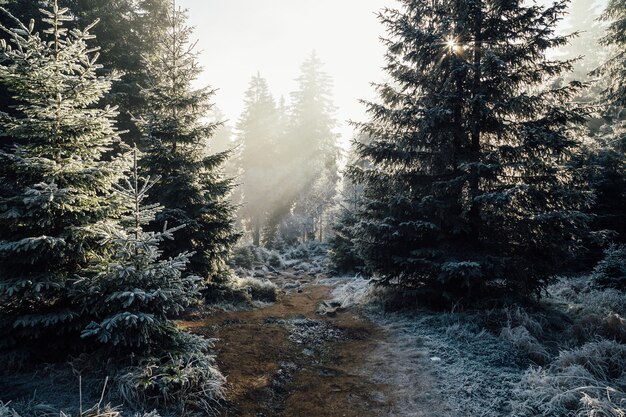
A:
[185, 381]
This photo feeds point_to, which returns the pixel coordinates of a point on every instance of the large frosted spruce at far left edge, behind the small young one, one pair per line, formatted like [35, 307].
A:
[55, 171]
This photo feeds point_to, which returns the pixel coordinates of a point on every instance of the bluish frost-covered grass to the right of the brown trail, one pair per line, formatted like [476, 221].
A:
[562, 357]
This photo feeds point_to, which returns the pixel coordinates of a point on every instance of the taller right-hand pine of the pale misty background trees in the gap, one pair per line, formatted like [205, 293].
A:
[311, 150]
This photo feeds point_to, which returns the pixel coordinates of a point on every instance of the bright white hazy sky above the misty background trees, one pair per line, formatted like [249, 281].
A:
[237, 38]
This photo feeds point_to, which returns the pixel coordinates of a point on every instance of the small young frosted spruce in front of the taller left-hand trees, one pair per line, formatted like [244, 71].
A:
[132, 294]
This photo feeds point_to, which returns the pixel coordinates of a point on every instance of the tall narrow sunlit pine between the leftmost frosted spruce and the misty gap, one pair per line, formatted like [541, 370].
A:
[192, 188]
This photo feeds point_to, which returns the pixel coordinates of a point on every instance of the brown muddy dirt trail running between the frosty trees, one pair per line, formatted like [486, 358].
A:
[286, 360]
